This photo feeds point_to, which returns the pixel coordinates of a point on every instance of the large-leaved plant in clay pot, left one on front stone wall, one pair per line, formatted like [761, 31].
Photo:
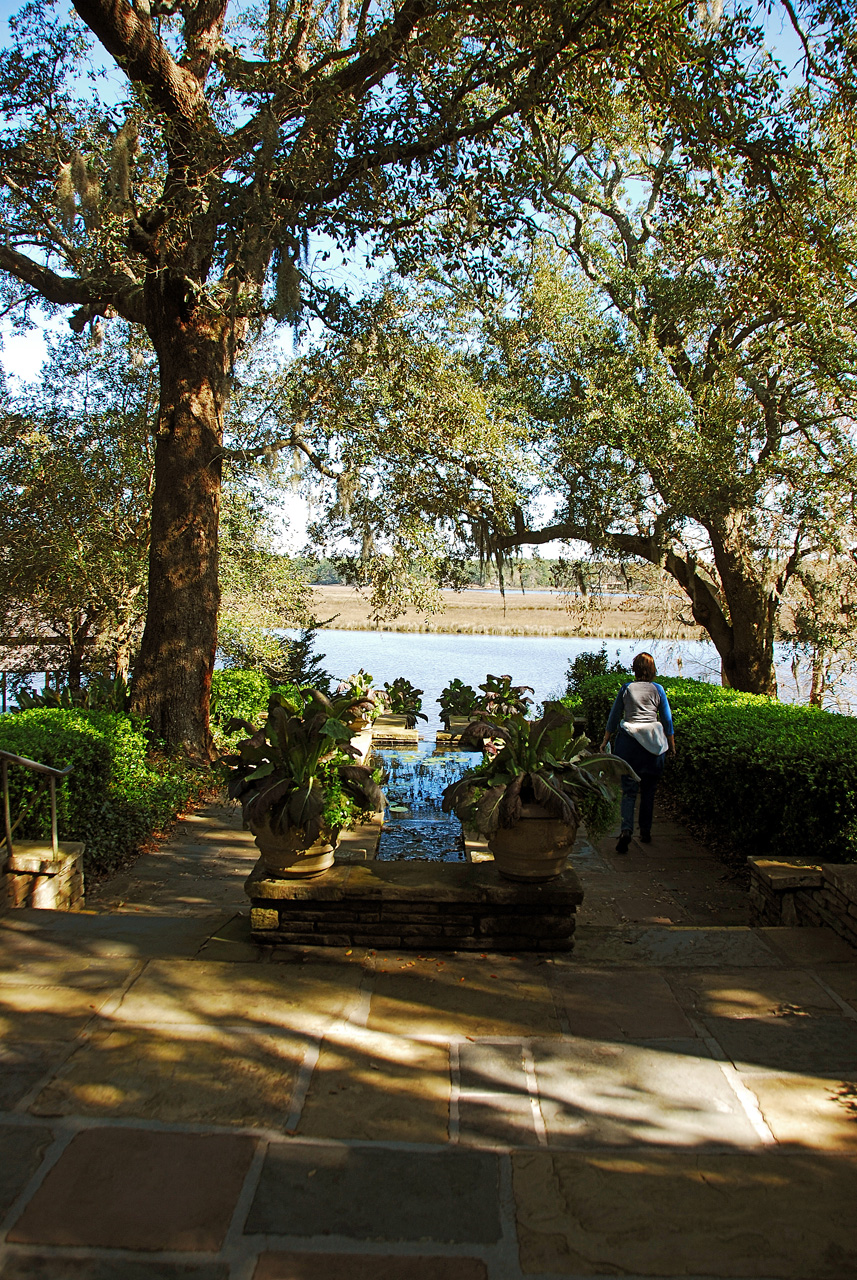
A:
[299, 784]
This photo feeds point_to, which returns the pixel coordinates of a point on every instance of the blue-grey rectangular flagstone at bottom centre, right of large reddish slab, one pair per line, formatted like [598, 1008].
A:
[372, 1194]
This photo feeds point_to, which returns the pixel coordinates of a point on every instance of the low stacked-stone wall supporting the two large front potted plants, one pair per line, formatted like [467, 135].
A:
[415, 907]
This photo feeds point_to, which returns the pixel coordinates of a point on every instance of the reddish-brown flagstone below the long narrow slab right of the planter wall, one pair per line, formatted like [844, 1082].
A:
[620, 1004]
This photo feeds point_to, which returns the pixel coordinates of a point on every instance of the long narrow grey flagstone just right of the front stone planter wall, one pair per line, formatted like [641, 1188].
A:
[686, 947]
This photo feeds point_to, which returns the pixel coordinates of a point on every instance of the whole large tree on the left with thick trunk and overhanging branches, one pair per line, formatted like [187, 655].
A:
[181, 186]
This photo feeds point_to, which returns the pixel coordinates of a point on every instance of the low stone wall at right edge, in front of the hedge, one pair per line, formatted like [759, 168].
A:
[804, 893]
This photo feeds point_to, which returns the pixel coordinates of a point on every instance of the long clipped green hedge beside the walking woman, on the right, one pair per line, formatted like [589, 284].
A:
[774, 779]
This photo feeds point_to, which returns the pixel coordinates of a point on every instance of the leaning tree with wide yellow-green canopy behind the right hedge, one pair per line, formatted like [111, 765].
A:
[672, 380]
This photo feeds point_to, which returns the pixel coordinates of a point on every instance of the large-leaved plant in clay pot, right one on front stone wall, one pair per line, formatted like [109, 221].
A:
[530, 798]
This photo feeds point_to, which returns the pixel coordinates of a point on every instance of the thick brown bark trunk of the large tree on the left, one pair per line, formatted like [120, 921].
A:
[173, 676]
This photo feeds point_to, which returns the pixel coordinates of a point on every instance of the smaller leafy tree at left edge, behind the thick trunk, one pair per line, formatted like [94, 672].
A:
[76, 470]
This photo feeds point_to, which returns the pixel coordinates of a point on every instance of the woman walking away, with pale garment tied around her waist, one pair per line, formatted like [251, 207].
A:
[645, 738]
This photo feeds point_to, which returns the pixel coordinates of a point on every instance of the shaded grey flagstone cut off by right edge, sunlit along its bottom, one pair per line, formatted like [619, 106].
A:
[813, 1045]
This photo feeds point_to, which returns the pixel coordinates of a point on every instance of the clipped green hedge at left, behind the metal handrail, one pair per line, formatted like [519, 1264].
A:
[118, 793]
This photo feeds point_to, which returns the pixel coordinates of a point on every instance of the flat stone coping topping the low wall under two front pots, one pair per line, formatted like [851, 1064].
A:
[414, 881]
